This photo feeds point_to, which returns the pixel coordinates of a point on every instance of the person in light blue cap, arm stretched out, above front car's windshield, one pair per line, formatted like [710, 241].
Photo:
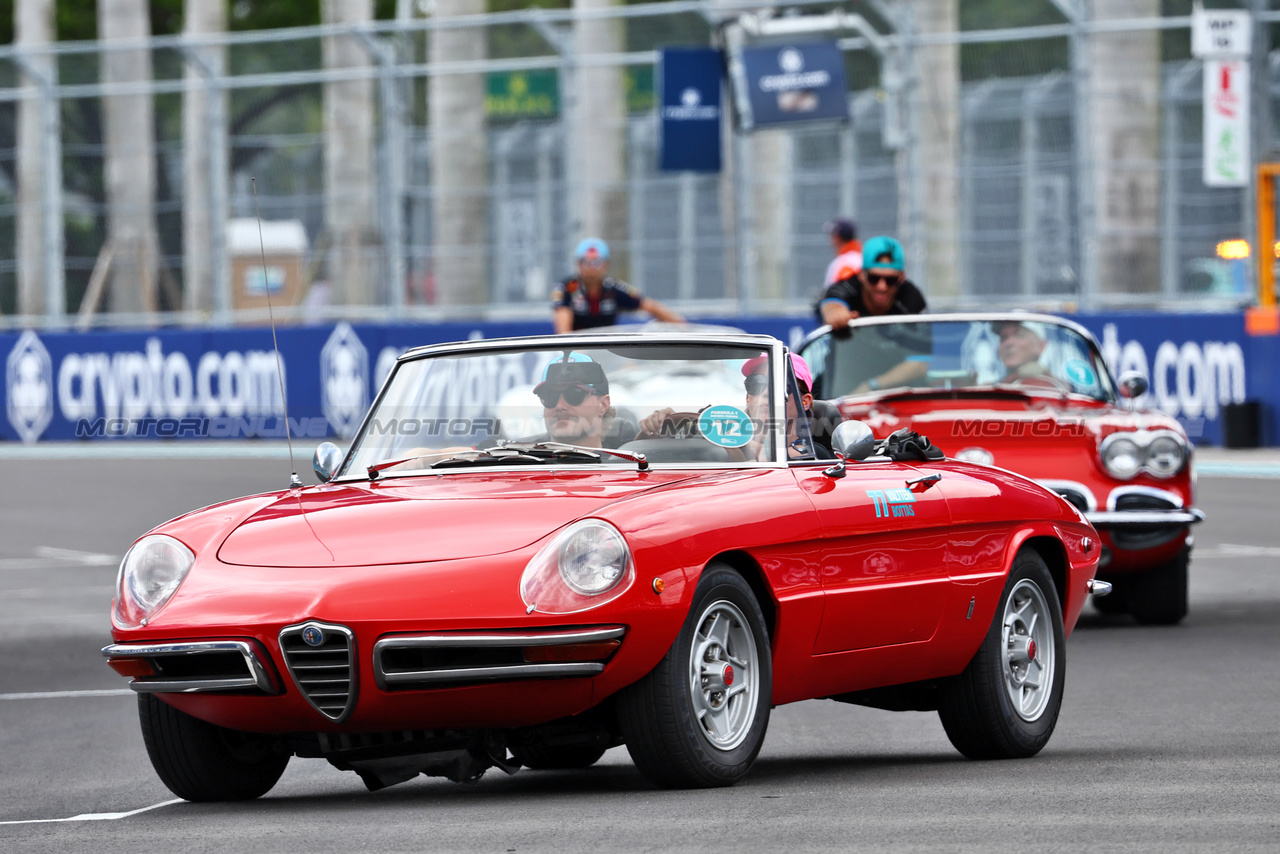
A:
[593, 299]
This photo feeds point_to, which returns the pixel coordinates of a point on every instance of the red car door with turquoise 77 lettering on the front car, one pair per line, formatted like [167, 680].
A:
[885, 535]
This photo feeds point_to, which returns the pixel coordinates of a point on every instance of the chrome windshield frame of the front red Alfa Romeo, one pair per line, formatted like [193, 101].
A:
[586, 341]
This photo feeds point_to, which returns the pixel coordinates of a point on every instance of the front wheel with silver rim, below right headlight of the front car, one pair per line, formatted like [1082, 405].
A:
[660, 716]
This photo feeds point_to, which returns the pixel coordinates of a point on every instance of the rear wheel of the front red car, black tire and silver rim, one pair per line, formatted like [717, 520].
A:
[977, 709]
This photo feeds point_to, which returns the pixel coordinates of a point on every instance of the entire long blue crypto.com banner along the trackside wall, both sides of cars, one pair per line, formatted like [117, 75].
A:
[223, 383]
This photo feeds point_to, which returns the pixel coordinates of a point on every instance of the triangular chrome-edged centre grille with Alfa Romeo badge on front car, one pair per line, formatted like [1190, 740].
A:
[326, 673]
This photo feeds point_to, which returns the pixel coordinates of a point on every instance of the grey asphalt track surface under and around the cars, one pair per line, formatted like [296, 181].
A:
[1169, 739]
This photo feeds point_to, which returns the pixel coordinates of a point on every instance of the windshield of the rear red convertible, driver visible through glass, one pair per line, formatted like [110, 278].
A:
[1028, 355]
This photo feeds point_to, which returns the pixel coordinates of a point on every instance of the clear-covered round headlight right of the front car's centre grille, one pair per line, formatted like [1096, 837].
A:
[584, 567]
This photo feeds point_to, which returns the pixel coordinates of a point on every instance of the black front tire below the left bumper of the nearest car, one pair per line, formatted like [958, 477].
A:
[200, 761]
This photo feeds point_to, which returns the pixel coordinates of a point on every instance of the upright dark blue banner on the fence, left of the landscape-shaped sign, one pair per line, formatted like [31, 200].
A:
[691, 109]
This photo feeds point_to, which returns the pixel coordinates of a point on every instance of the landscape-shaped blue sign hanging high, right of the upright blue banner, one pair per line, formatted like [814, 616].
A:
[788, 84]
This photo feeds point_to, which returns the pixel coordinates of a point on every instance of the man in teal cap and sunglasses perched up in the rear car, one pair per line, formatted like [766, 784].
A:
[880, 289]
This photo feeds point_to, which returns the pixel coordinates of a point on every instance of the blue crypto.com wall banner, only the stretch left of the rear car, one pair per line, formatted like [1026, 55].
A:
[218, 383]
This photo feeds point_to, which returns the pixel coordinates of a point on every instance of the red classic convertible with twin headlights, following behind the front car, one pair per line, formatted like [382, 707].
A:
[1032, 394]
